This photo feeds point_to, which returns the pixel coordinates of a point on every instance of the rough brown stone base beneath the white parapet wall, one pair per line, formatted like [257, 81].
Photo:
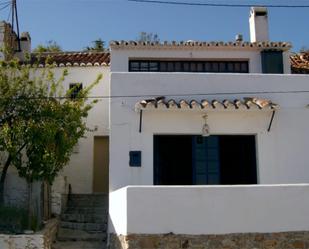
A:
[284, 240]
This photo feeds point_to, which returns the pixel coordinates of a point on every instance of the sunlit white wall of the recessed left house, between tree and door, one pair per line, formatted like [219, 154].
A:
[79, 172]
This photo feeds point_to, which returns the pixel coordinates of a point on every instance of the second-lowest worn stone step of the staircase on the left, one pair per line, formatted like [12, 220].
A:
[66, 234]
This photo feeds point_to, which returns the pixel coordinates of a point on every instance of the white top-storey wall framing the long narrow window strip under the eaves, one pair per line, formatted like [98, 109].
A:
[120, 58]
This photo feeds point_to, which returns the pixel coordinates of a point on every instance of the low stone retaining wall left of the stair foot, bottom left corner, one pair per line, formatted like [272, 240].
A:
[40, 240]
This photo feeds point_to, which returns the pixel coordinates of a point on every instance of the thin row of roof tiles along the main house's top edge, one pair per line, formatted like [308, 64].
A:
[198, 45]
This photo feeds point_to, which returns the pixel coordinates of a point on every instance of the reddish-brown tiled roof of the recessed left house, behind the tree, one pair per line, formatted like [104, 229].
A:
[64, 59]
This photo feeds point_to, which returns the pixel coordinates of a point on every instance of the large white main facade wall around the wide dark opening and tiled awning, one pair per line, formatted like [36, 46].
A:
[282, 153]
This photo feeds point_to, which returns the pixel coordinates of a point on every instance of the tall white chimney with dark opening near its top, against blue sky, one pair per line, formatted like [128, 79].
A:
[258, 21]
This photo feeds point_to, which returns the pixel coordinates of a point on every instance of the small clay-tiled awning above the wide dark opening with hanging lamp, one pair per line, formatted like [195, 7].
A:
[238, 104]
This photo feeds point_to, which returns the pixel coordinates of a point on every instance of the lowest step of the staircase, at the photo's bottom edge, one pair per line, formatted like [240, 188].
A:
[78, 245]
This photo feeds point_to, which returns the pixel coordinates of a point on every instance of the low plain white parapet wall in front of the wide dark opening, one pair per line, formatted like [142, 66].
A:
[196, 210]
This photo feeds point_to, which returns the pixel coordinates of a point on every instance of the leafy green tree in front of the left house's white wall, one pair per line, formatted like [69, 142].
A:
[39, 123]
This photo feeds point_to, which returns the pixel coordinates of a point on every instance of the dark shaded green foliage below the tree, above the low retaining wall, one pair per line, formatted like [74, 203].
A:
[13, 220]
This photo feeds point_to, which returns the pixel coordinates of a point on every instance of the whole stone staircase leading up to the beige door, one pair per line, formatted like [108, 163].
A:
[84, 223]
